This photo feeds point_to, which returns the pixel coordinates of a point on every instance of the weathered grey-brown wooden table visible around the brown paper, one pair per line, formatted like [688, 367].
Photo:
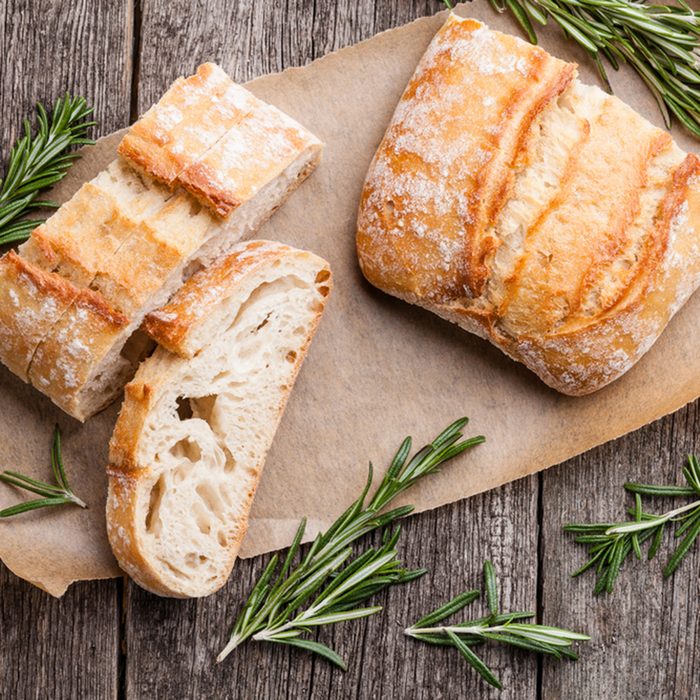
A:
[111, 639]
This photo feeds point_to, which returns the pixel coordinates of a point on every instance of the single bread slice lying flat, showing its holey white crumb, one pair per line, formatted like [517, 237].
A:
[200, 415]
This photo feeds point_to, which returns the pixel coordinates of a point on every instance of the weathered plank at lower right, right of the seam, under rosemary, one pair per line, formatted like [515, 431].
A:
[647, 632]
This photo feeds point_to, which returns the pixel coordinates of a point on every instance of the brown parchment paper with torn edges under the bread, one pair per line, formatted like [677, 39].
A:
[378, 368]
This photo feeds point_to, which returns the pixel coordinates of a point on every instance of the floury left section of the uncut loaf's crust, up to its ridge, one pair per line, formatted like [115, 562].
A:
[509, 83]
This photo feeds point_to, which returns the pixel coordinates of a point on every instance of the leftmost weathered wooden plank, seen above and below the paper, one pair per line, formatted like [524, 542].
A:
[66, 648]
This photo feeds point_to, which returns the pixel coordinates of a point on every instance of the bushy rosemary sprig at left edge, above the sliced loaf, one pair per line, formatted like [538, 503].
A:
[40, 160]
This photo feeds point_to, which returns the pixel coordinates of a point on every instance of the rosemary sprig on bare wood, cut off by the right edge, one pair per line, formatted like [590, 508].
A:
[610, 544]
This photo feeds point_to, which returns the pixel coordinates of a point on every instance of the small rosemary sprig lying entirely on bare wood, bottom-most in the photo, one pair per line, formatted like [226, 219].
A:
[504, 628]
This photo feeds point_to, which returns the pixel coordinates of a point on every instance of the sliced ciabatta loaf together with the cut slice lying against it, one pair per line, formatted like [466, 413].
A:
[85, 299]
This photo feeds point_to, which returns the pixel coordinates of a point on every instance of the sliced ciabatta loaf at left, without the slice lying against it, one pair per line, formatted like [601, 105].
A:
[202, 169]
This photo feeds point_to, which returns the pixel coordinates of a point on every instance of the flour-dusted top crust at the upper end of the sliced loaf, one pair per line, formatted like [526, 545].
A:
[215, 139]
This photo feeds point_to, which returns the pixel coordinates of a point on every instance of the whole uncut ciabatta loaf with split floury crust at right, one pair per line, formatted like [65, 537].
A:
[530, 209]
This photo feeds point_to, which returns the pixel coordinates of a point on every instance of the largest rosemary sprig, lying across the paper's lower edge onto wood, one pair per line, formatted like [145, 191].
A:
[328, 585]
